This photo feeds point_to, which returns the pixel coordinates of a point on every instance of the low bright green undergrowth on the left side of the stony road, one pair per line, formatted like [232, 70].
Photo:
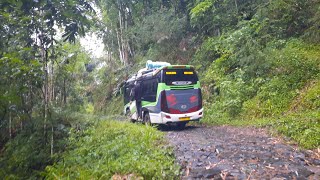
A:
[111, 148]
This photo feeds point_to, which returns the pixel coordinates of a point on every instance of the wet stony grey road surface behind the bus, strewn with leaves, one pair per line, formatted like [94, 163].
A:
[226, 152]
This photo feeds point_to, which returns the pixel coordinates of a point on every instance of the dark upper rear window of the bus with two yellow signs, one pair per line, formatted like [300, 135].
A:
[179, 76]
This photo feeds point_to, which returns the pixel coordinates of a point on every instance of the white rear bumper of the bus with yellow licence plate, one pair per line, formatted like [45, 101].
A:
[166, 118]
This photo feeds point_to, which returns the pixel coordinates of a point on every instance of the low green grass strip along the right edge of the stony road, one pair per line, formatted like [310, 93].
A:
[302, 128]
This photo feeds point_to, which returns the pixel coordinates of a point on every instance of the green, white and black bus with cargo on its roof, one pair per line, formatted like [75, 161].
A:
[170, 94]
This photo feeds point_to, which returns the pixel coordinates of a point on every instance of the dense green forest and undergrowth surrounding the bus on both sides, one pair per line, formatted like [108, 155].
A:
[258, 62]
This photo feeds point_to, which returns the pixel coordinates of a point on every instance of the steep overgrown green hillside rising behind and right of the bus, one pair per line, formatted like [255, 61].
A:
[258, 61]
